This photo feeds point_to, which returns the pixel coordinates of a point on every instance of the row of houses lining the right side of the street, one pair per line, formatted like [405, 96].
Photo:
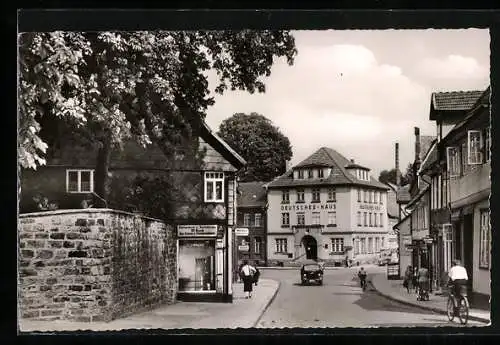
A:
[447, 206]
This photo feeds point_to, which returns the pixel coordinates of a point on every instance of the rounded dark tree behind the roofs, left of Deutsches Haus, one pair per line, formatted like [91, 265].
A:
[260, 143]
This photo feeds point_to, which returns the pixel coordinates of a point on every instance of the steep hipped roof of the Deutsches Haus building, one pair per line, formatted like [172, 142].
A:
[325, 157]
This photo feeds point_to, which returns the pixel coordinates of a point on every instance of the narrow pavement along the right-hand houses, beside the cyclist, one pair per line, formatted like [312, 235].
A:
[394, 290]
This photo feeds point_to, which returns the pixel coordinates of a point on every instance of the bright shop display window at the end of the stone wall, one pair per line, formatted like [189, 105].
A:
[196, 265]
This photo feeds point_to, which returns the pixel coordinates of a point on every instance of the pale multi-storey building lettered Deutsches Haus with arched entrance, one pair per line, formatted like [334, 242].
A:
[326, 208]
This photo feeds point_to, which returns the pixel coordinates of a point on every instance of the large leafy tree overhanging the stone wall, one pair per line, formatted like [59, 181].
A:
[109, 87]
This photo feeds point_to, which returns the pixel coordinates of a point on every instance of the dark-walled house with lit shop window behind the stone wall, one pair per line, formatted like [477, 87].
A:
[204, 206]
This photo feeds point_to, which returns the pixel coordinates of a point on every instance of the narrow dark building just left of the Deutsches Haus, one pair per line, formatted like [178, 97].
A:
[251, 215]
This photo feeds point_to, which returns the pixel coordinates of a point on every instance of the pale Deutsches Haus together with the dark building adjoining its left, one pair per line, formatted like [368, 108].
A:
[325, 208]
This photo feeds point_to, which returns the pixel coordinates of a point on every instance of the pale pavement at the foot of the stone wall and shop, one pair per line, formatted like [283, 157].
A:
[243, 313]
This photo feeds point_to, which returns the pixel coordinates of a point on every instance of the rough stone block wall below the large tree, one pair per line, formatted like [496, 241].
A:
[93, 264]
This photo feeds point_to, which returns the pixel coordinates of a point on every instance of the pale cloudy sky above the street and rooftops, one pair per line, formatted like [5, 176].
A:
[361, 91]
